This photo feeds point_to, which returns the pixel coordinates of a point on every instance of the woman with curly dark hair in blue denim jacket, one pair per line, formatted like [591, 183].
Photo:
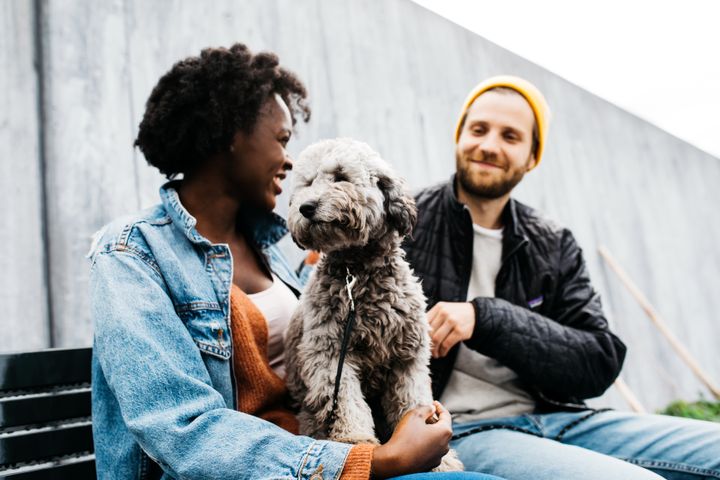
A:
[187, 359]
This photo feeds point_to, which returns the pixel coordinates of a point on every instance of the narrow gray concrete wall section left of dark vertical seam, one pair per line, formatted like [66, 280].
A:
[23, 286]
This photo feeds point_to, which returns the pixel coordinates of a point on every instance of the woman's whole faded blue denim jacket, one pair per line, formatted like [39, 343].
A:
[162, 378]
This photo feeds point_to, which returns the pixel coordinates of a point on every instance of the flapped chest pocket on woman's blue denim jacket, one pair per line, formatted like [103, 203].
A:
[206, 323]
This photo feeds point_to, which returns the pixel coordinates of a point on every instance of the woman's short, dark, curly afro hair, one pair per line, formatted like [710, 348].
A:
[197, 107]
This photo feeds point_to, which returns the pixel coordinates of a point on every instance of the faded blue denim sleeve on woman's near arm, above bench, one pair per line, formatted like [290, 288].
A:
[160, 381]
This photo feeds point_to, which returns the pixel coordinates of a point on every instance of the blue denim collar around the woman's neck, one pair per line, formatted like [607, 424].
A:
[267, 228]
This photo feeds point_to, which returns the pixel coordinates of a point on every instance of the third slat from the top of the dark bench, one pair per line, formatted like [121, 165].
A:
[44, 444]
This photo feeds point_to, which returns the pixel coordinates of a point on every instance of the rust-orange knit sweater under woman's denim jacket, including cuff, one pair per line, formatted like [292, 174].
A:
[260, 391]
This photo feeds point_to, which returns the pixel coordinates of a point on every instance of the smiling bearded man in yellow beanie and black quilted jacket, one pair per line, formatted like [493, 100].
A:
[519, 336]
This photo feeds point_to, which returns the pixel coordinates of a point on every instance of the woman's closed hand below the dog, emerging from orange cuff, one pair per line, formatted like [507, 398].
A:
[416, 445]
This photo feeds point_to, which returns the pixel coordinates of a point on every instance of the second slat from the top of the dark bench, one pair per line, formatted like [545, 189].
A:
[43, 408]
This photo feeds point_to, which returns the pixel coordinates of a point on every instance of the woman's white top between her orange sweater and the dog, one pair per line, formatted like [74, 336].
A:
[277, 304]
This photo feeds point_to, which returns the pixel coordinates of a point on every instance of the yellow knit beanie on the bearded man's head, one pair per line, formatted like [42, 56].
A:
[526, 89]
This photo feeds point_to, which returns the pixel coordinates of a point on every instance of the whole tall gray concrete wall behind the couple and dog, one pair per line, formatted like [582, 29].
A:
[385, 71]
